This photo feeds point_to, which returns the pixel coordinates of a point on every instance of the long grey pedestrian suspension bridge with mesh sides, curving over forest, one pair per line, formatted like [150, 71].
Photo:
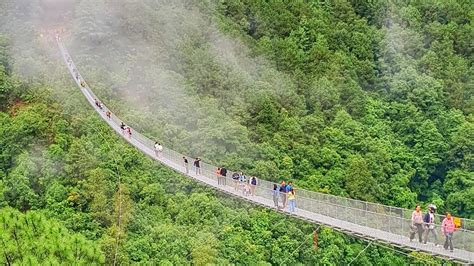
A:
[370, 221]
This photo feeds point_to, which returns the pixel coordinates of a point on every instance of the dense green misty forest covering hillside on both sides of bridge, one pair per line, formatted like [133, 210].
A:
[370, 100]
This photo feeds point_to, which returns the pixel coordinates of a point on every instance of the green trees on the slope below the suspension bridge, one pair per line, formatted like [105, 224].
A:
[152, 216]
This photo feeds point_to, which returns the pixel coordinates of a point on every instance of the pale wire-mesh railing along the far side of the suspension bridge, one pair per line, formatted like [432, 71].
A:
[371, 215]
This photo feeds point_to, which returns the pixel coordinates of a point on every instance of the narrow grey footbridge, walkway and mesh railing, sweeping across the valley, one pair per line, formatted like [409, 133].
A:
[354, 221]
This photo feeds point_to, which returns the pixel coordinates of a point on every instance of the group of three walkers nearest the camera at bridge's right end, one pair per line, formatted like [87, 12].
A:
[424, 224]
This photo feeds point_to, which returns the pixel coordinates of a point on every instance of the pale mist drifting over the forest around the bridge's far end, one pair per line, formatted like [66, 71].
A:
[163, 66]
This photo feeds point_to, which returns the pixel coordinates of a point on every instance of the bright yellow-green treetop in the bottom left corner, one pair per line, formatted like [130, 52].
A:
[33, 239]
